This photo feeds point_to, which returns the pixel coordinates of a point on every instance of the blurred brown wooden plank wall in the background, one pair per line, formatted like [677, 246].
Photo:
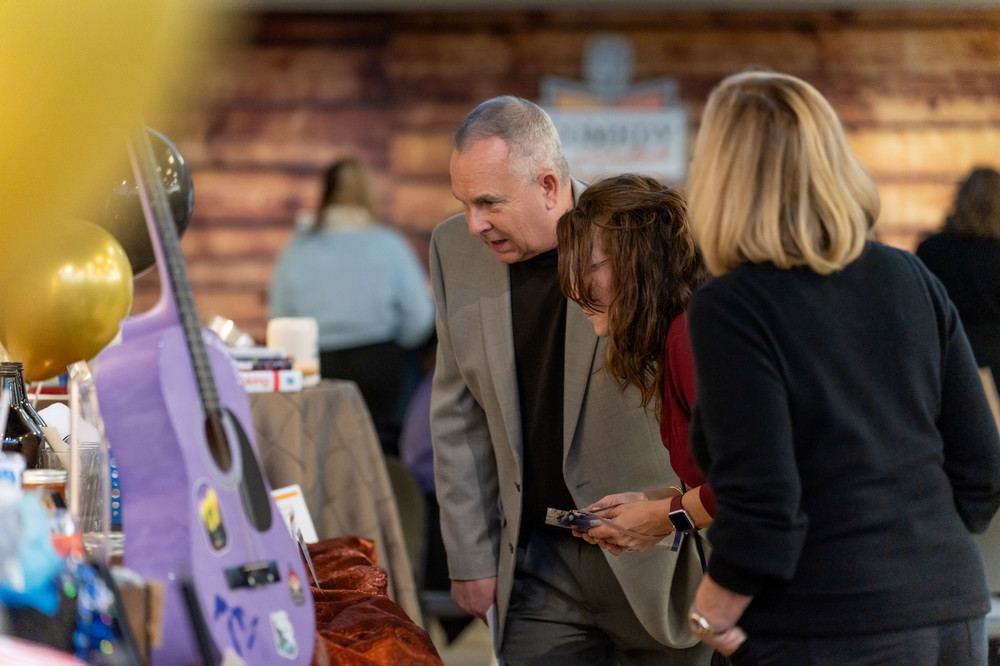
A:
[918, 92]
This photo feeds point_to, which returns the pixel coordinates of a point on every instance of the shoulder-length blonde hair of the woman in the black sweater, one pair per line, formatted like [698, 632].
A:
[774, 180]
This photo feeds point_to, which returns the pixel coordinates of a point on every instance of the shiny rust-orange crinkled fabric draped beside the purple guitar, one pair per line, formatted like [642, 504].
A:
[358, 624]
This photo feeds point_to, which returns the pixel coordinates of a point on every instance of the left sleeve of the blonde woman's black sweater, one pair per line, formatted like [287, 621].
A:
[742, 438]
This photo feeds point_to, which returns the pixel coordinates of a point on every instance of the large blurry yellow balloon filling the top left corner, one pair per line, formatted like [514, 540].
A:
[78, 78]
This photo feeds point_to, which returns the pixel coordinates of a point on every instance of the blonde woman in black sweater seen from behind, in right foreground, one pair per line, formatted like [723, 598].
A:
[840, 417]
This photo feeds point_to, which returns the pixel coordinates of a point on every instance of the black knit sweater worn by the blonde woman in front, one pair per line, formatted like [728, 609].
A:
[842, 424]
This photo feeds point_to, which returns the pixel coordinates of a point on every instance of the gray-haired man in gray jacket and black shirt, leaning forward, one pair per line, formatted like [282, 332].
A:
[522, 419]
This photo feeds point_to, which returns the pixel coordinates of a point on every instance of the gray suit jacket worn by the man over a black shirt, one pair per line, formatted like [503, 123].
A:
[610, 443]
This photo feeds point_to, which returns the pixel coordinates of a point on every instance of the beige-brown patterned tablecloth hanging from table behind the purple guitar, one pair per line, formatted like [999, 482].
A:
[322, 438]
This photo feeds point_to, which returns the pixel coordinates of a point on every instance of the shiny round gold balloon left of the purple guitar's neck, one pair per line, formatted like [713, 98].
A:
[64, 296]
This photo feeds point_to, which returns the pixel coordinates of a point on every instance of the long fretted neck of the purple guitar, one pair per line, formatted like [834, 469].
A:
[175, 288]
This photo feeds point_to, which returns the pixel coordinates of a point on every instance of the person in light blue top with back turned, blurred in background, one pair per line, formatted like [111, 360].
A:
[367, 290]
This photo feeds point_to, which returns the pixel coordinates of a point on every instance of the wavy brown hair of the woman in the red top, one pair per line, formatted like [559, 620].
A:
[642, 226]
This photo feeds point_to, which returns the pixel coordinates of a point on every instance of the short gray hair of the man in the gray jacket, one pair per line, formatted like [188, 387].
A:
[527, 130]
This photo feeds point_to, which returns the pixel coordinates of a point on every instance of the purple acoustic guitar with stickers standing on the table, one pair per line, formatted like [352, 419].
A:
[199, 515]
